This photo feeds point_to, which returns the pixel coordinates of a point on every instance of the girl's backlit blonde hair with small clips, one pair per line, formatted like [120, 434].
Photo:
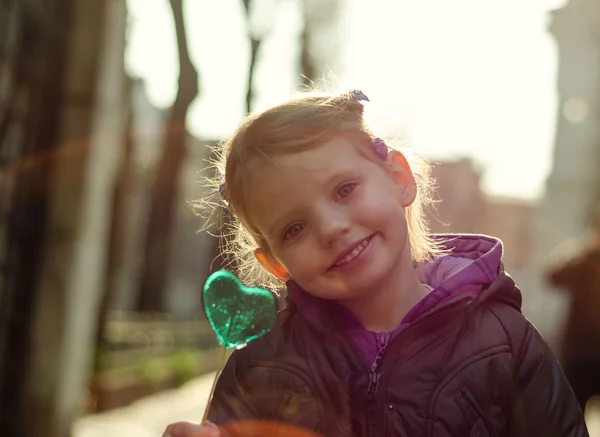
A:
[294, 126]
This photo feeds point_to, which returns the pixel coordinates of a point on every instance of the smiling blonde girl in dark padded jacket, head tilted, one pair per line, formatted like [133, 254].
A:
[388, 331]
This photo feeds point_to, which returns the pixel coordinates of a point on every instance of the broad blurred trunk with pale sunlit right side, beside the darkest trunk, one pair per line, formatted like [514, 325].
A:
[91, 125]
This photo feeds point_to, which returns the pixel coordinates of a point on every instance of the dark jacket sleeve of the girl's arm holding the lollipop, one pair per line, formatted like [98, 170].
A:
[266, 392]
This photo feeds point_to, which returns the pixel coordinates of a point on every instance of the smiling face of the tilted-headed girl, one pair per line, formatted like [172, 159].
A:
[334, 219]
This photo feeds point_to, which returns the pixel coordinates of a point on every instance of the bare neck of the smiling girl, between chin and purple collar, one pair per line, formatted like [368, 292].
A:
[383, 310]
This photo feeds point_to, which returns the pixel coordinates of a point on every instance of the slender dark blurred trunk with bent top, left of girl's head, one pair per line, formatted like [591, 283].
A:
[160, 223]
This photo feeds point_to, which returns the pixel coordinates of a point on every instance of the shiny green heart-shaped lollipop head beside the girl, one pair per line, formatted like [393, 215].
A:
[237, 314]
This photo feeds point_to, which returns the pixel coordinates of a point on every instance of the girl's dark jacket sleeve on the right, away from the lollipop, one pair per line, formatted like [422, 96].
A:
[542, 402]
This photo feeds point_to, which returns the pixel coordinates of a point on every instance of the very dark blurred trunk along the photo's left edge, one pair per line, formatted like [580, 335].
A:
[33, 55]
